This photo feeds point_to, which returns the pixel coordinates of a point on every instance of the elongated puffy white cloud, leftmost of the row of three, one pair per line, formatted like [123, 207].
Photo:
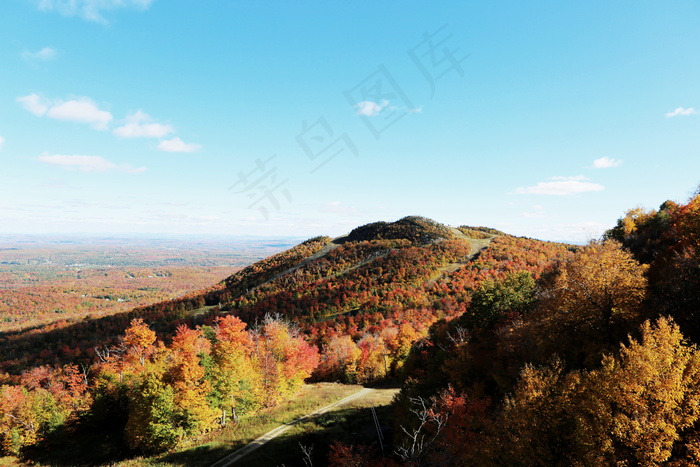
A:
[79, 109]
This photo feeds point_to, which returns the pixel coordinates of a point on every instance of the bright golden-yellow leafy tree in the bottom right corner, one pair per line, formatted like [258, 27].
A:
[639, 404]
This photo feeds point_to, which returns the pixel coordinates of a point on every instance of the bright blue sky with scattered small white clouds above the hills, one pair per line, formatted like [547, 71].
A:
[545, 119]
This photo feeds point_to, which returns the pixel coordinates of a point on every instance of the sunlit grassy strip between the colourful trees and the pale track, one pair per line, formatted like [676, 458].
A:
[218, 444]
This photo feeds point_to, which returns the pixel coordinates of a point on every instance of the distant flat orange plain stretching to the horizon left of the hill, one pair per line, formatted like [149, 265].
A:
[47, 279]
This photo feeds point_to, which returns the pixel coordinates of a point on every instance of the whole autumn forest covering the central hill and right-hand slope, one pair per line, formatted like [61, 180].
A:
[510, 351]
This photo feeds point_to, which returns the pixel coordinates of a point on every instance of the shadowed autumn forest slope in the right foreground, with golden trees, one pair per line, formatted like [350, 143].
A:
[594, 363]
